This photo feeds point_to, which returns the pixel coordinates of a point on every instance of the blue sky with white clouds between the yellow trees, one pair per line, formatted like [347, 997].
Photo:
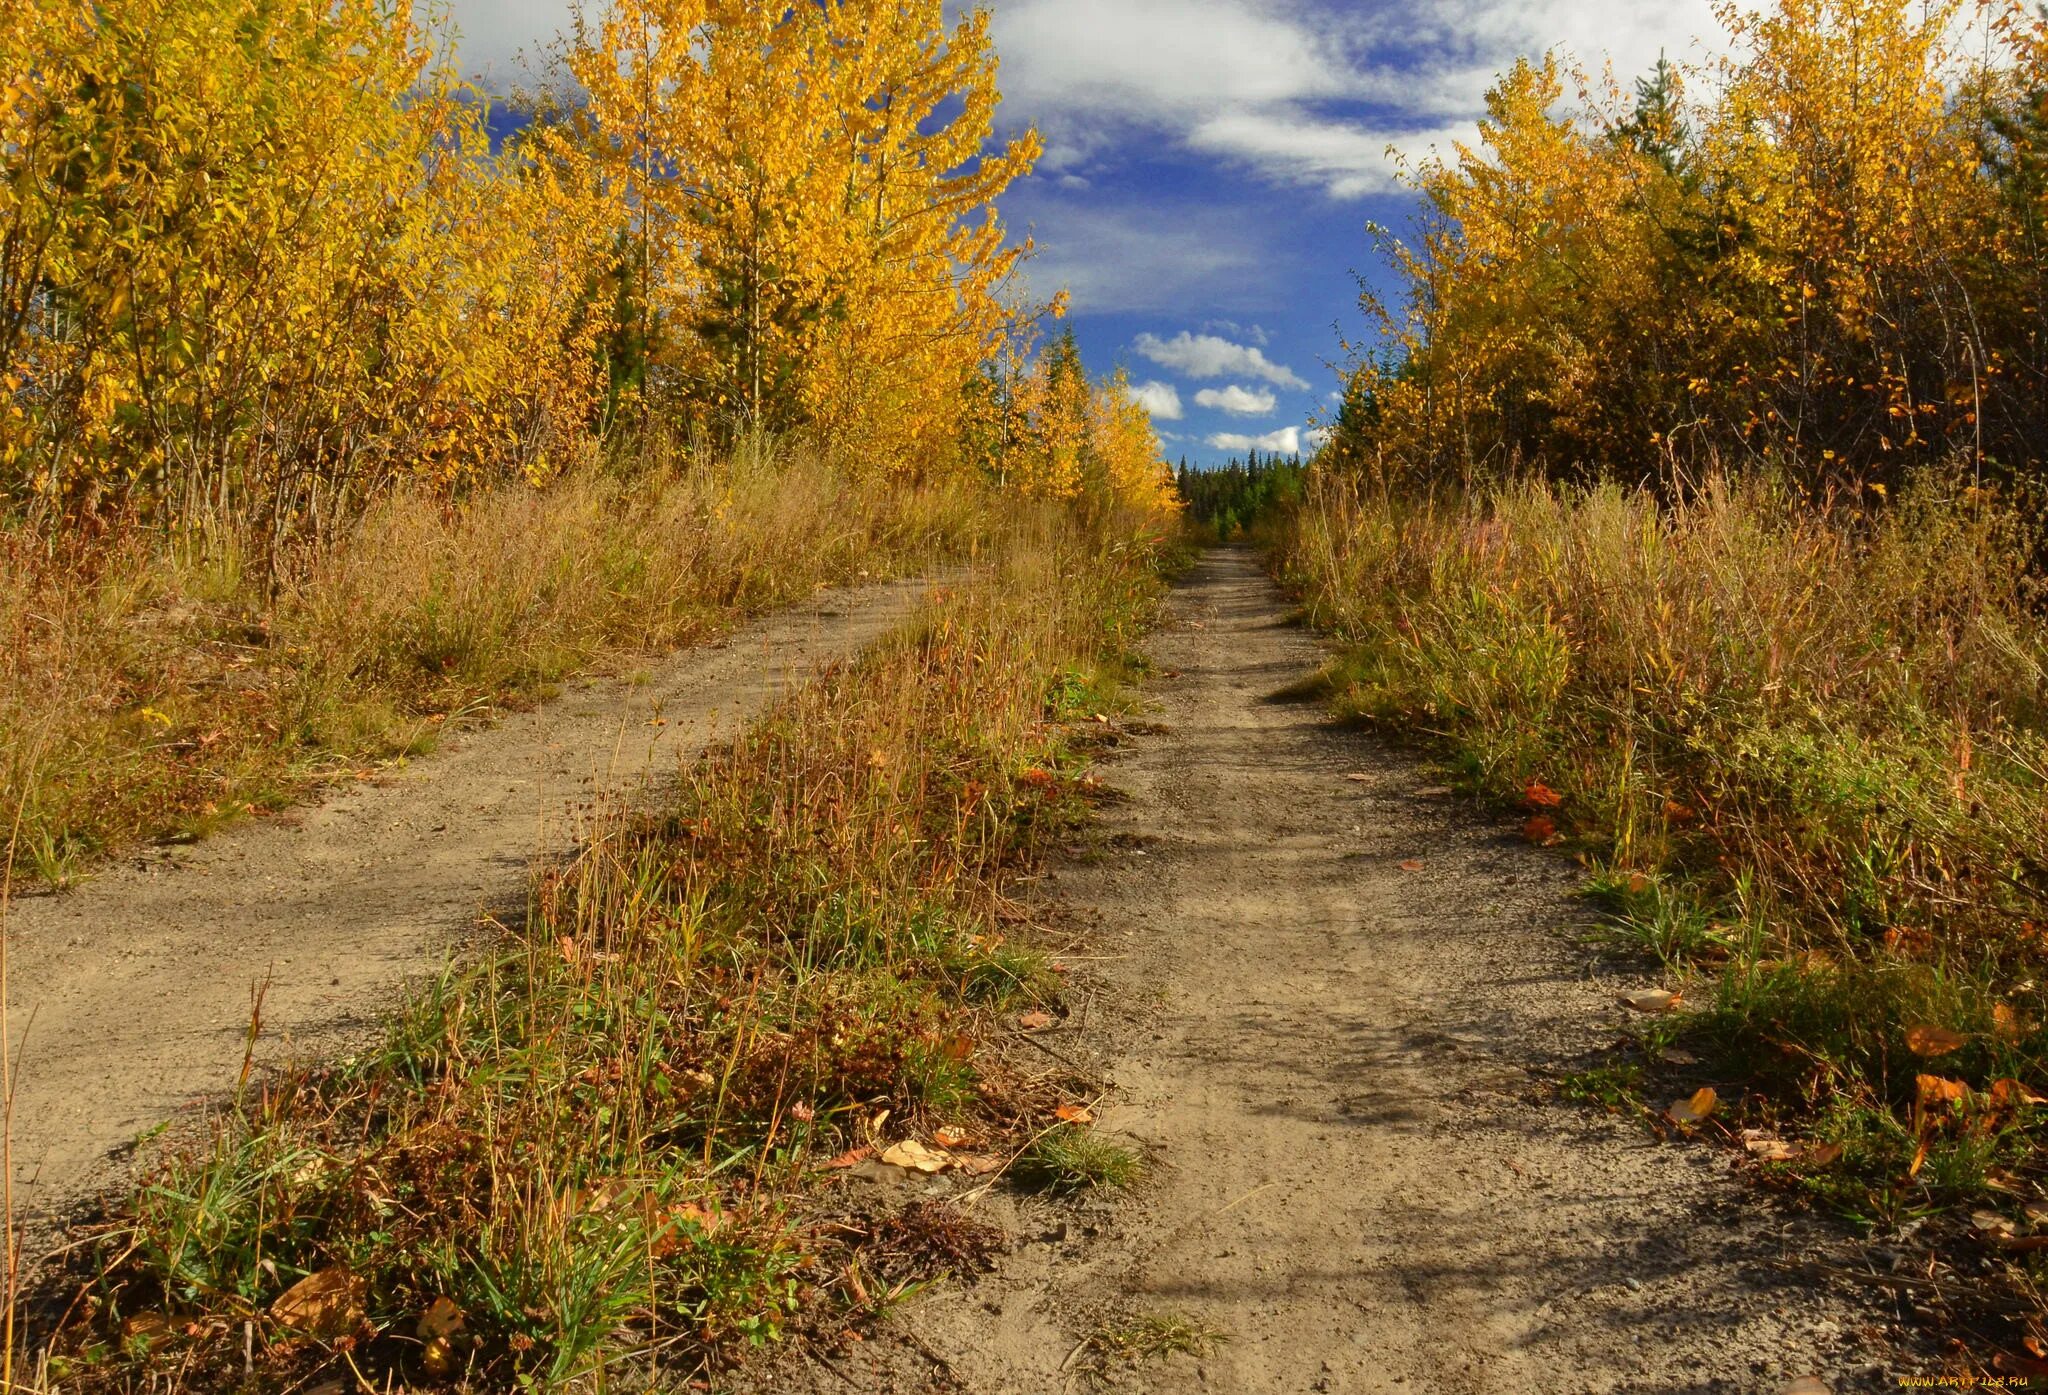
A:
[1211, 167]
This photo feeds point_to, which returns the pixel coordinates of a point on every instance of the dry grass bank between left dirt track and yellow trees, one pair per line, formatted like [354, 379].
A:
[159, 687]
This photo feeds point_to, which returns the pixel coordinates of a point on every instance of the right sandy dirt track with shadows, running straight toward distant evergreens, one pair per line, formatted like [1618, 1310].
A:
[1338, 1064]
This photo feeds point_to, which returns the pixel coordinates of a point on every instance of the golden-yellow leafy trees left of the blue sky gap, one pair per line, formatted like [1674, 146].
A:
[263, 259]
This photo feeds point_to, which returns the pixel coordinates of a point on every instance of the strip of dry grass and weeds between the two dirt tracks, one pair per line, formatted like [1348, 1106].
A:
[595, 1146]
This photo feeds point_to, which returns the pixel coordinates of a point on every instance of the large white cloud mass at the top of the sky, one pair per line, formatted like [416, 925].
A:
[1308, 95]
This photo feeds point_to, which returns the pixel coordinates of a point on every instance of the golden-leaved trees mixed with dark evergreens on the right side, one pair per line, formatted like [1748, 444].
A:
[1832, 265]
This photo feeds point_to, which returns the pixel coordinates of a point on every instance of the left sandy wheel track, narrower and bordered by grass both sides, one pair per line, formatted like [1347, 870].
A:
[132, 997]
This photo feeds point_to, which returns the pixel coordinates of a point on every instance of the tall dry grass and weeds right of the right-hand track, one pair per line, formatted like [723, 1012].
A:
[1807, 761]
